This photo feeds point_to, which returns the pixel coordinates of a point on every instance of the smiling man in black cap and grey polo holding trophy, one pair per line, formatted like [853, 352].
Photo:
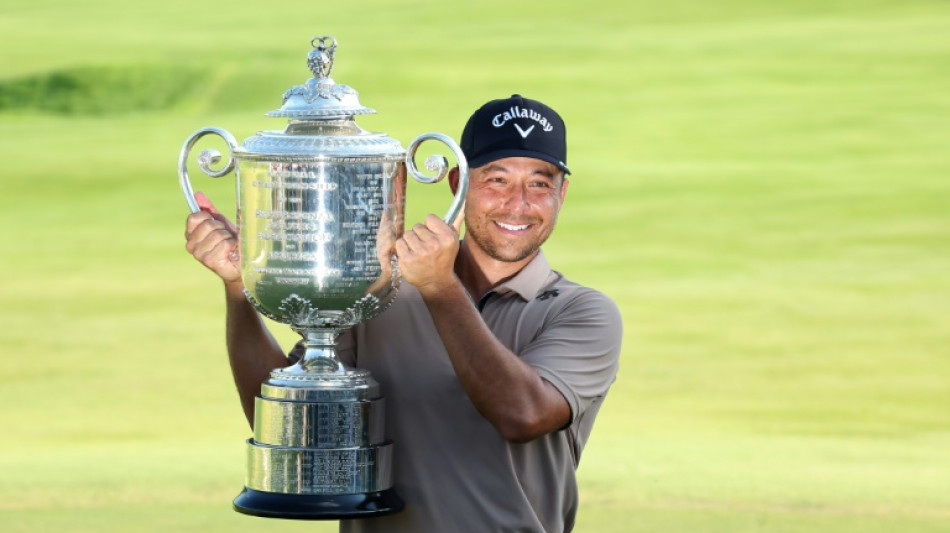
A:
[493, 365]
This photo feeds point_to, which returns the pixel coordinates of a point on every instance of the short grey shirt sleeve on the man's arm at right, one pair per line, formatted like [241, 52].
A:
[578, 349]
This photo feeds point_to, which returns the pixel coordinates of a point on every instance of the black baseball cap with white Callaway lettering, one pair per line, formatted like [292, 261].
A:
[515, 127]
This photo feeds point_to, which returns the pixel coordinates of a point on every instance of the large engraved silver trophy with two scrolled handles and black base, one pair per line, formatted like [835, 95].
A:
[320, 206]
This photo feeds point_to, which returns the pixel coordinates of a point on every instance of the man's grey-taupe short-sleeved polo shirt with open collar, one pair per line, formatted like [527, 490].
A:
[451, 466]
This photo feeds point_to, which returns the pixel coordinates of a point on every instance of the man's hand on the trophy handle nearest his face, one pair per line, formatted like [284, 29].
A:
[427, 254]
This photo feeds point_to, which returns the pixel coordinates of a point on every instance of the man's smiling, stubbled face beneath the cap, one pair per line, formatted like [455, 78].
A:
[512, 206]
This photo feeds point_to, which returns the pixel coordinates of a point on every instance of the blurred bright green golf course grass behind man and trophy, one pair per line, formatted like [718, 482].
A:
[763, 187]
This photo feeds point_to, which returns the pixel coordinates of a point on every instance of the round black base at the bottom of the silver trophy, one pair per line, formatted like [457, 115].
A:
[317, 506]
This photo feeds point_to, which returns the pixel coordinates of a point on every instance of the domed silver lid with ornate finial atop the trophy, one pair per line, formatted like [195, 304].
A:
[321, 125]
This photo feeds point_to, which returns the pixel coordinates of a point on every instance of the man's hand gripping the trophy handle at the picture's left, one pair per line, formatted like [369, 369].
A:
[213, 240]
